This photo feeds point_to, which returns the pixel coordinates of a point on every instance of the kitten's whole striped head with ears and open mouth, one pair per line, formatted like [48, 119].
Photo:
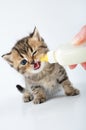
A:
[25, 55]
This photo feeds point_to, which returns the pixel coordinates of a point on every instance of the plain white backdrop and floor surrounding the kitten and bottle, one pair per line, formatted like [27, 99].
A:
[57, 21]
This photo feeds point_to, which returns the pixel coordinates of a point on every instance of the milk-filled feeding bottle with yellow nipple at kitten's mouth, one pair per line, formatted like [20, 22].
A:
[68, 54]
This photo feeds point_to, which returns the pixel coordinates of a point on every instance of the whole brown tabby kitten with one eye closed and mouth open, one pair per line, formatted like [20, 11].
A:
[41, 79]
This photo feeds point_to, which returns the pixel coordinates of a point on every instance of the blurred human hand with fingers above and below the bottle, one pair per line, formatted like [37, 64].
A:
[79, 39]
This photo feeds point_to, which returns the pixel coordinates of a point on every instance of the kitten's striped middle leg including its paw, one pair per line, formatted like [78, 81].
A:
[39, 94]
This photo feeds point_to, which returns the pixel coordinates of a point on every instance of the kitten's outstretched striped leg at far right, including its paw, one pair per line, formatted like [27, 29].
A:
[68, 88]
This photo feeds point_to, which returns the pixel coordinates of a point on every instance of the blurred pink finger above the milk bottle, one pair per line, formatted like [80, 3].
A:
[80, 38]
